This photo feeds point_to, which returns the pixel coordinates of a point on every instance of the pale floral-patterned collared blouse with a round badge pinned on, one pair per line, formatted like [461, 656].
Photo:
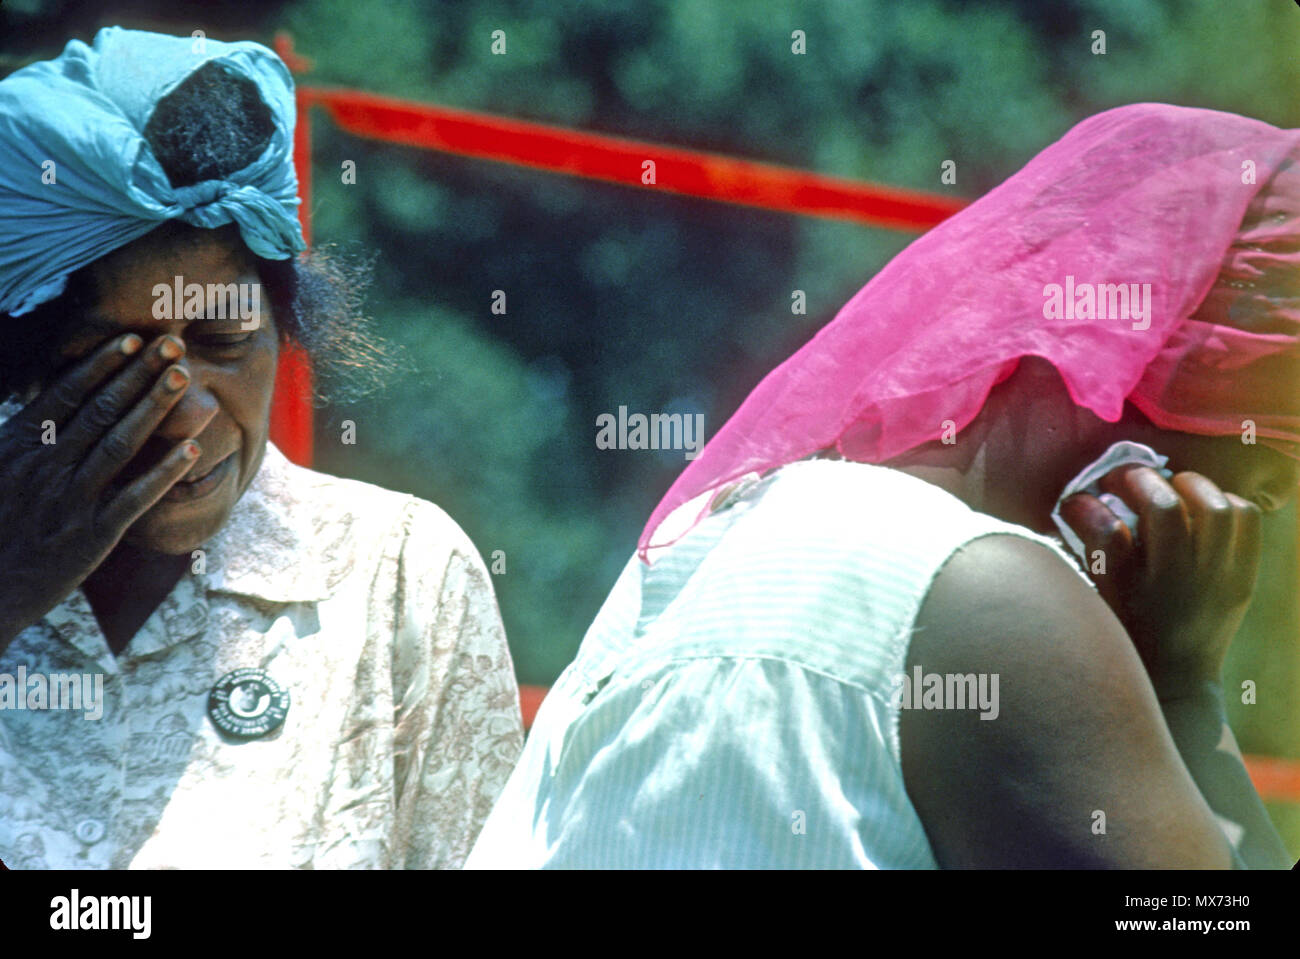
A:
[376, 615]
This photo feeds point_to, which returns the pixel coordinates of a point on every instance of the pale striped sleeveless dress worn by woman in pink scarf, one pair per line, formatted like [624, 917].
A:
[731, 706]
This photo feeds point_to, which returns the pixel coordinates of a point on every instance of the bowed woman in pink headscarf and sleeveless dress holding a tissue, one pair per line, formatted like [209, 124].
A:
[852, 636]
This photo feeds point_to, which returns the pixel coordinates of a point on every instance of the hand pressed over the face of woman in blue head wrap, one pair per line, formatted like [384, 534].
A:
[60, 511]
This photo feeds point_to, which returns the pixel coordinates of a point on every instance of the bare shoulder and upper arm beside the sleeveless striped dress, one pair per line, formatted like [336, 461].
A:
[1077, 728]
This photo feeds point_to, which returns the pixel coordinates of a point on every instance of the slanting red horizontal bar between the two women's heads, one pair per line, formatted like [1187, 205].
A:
[619, 160]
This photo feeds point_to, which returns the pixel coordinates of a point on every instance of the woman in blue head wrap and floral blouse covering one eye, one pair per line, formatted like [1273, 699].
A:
[287, 669]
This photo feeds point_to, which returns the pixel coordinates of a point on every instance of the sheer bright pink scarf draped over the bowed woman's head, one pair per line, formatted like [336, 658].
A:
[1201, 209]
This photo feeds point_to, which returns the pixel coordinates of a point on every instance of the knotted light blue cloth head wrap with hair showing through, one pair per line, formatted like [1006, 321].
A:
[79, 180]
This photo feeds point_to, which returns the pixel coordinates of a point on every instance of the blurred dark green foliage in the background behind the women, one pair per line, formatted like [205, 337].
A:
[621, 297]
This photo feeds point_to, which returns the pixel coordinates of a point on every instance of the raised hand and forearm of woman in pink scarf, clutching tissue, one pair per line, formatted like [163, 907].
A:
[1182, 591]
